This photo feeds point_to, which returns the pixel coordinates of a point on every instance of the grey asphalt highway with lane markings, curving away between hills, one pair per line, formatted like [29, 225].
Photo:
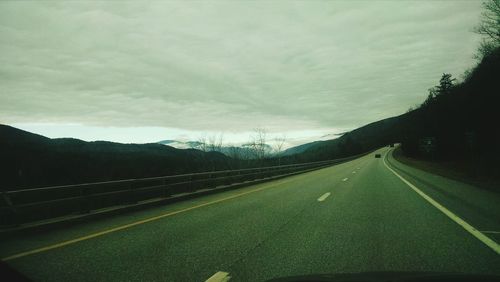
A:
[356, 217]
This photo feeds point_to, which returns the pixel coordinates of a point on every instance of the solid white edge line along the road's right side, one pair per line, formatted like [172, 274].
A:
[476, 233]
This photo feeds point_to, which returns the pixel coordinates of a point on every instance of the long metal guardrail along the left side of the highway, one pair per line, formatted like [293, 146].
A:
[29, 205]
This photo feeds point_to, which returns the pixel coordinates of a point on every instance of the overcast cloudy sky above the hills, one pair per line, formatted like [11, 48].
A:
[129, 71]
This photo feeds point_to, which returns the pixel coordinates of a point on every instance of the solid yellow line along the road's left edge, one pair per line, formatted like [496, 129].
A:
[107, 231]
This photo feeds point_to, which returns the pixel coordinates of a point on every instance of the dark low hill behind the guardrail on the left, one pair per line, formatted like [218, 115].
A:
[31, 160]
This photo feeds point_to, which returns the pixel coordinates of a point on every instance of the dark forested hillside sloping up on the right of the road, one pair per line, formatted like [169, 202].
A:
[457, 122]
